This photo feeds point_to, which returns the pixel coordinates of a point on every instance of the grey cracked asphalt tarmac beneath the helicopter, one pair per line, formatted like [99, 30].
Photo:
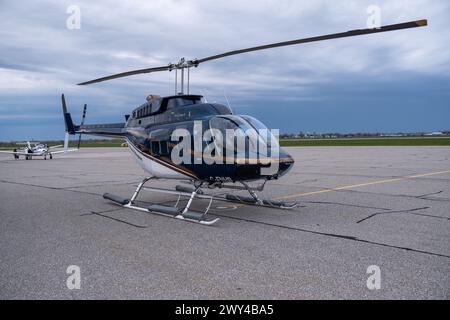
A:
[387, 207]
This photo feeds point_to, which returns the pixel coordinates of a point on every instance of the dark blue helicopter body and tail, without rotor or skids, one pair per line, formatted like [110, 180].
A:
[148, 132]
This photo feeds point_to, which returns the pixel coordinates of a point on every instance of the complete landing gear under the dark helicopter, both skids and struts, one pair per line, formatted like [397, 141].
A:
[193, 193]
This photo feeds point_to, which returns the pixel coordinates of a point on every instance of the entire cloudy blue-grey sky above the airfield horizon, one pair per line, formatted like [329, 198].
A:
[397, 81]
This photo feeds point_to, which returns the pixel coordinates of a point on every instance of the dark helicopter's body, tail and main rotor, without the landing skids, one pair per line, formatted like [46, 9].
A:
[148, 130]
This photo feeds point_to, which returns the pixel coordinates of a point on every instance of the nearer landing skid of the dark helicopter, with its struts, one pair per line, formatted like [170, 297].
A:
[173, 212]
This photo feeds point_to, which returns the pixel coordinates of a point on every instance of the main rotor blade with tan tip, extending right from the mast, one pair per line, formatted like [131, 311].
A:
[358, 32]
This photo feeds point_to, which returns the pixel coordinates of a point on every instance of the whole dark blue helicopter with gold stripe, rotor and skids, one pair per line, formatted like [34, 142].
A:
[150, 133]
